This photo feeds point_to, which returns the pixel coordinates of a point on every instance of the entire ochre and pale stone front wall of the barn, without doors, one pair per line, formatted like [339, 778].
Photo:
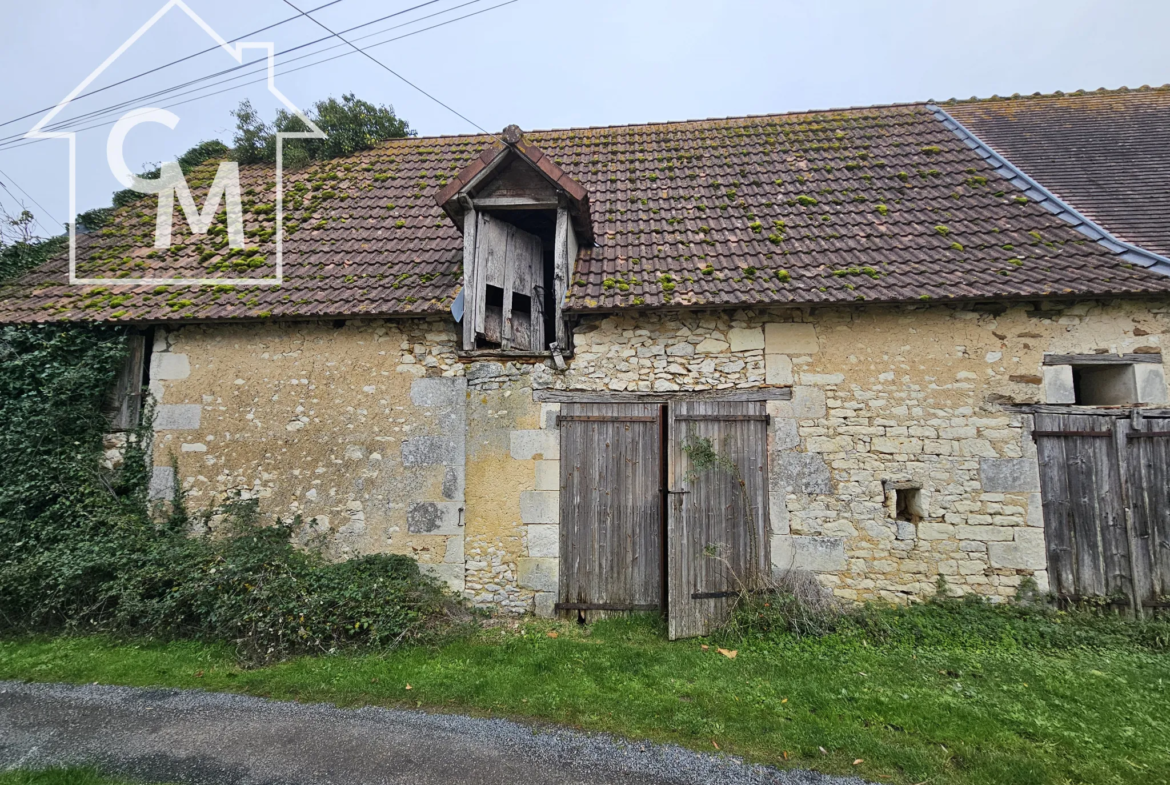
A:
[380, 437]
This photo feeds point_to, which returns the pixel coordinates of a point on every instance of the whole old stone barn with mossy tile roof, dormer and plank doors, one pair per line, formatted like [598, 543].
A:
[634, 369]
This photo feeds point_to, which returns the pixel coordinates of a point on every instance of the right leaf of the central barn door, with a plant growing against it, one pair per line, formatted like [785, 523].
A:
[717, 511]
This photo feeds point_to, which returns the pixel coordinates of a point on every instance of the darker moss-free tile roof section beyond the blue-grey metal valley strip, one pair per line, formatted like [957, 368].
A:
[1105, 154]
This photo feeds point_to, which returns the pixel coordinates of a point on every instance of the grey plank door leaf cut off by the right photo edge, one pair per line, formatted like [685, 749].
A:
[1148, 471]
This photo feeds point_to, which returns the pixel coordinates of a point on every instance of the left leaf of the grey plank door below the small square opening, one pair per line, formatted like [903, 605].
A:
[1084, 507]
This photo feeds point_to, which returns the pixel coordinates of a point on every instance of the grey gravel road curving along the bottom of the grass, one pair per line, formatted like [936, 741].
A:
[207, 739]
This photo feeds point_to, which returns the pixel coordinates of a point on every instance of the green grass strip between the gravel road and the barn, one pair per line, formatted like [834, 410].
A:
[1000, 717]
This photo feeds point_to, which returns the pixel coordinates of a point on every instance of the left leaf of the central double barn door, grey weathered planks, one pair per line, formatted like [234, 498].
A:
[611, 509]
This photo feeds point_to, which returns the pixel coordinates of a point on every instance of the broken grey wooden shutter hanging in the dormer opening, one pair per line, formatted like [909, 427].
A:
[510, 260]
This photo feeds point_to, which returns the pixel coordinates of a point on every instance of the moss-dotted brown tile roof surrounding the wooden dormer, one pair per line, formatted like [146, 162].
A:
[883, 204]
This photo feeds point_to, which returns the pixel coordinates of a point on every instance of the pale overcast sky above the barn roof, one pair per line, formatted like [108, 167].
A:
[547, 64]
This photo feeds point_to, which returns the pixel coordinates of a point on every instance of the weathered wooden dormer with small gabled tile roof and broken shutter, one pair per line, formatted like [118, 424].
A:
[524, 221]
